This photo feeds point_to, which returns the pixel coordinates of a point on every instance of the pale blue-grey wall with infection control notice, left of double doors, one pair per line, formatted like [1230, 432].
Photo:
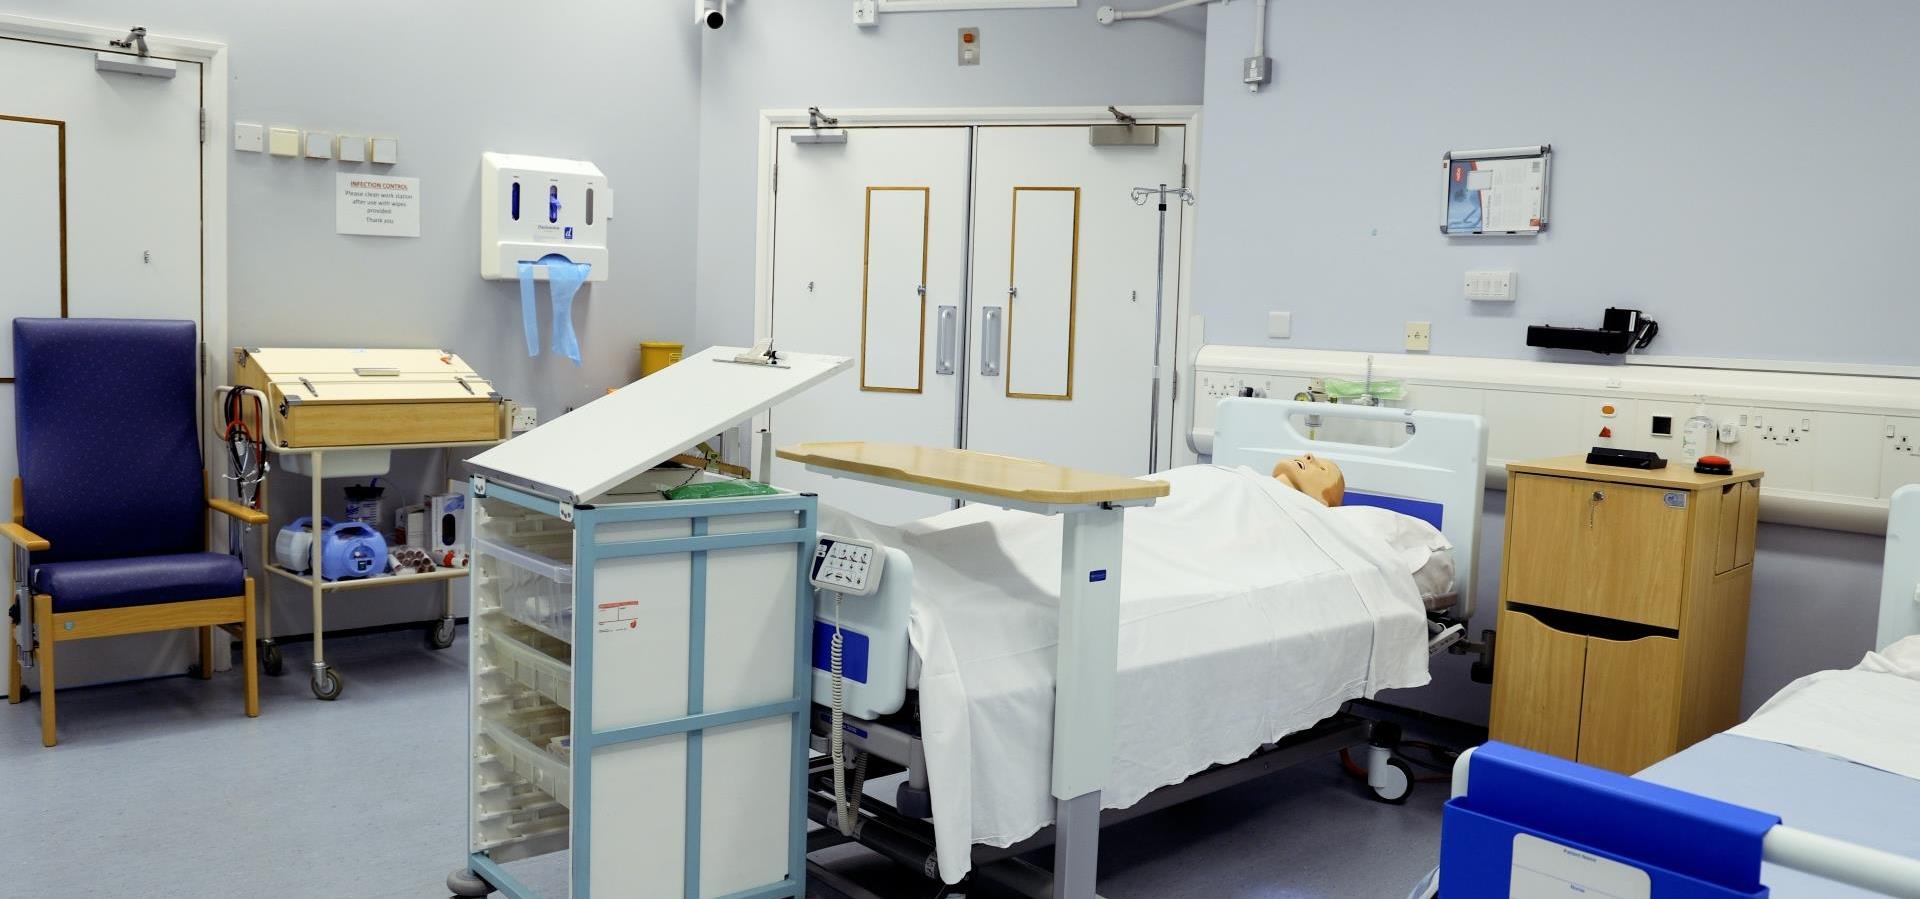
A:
[610, 82]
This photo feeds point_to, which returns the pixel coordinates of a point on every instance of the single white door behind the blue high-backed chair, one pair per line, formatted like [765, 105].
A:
[101, 195]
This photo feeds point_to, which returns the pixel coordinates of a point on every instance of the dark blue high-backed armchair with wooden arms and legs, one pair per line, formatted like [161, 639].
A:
[110, 508]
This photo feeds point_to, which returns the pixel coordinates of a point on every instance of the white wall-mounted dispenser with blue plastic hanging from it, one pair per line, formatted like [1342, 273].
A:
[533, 207]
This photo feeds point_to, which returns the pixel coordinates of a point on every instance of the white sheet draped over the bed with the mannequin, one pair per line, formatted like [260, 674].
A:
[1249, 612]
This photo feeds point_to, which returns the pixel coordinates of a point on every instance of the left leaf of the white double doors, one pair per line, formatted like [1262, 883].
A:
[871, 262]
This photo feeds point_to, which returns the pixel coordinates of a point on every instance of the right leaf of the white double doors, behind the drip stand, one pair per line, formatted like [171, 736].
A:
[1063, 347]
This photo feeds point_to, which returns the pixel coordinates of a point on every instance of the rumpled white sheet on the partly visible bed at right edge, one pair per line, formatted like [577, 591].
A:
[1869, 716]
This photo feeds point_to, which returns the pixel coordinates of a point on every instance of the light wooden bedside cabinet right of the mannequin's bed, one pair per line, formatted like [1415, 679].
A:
[1623, 610]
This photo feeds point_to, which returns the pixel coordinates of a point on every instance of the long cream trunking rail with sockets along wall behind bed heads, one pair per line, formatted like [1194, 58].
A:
[1835, 447]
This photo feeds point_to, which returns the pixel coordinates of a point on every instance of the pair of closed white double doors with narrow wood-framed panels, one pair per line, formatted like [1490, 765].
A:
[997, 287]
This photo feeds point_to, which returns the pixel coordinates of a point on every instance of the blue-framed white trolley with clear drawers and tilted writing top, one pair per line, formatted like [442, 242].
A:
[640, 666]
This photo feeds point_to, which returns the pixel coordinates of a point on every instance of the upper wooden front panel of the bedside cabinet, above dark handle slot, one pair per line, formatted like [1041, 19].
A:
[1598, 548]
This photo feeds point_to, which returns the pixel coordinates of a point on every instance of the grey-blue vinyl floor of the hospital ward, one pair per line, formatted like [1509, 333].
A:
[164, 789]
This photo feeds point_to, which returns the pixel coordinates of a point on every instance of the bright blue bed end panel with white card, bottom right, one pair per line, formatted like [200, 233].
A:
[1535, 825]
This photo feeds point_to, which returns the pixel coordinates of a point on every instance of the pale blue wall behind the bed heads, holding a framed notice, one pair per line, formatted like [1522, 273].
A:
[1735, 170]
